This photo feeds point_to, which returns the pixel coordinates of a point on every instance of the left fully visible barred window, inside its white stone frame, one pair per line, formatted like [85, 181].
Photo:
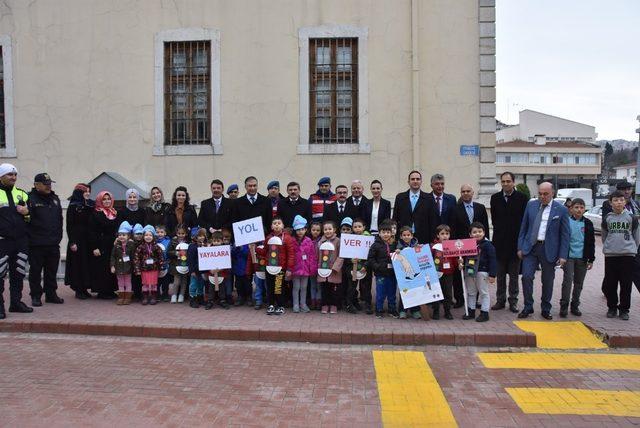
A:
[187, 103]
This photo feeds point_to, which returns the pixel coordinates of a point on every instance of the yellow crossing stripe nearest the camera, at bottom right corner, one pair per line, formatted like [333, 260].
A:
[560, 401]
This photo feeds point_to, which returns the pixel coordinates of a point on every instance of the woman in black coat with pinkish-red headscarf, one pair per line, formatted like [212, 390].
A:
[103, 227]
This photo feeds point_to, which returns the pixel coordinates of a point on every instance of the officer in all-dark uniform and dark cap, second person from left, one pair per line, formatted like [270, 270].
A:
[45, 234]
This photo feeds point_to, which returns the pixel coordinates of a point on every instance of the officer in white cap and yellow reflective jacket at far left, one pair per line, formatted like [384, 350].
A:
[13, 238]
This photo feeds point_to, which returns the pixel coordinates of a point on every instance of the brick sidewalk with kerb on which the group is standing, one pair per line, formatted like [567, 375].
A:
[166, 320]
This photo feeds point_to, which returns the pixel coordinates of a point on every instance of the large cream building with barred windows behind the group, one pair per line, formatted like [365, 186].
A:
[168, 93]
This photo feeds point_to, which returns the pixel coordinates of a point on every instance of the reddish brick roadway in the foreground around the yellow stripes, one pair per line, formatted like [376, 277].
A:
[74, 380]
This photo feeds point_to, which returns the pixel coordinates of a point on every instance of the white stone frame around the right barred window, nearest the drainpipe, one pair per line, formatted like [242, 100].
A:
[334, 31]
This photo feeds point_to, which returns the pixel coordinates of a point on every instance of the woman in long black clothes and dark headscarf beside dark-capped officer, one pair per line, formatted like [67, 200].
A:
[77, 273]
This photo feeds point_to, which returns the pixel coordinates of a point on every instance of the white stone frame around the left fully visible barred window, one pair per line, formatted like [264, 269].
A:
[187, 35]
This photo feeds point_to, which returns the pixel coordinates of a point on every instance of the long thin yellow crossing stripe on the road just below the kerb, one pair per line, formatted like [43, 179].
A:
[558, 361]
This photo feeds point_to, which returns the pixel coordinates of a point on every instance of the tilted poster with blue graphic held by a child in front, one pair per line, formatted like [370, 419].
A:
[417, 276]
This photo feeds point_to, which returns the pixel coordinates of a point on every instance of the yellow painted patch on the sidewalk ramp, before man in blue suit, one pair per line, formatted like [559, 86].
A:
[561, 335]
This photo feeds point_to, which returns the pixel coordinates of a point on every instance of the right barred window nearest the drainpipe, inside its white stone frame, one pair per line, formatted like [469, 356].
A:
[333, 91]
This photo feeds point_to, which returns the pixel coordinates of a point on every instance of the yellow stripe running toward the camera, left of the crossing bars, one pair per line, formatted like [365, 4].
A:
[409, 392]
